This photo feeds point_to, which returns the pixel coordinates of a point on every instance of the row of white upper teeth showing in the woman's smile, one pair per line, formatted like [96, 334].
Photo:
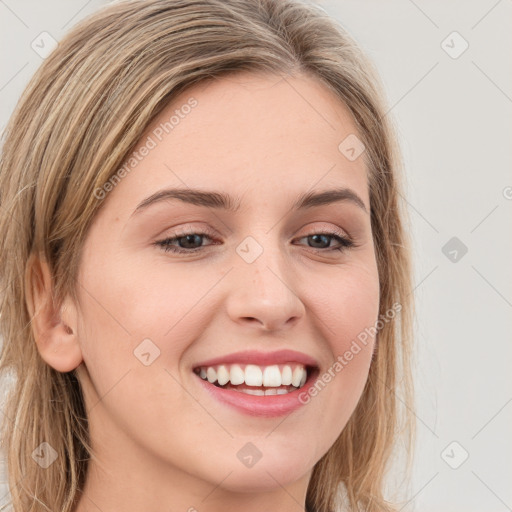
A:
[253, 375]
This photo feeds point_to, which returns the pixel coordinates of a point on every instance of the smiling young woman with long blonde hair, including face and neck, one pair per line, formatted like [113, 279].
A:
[206, 296]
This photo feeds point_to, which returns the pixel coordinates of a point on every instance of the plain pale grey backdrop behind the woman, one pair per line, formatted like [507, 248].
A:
[447, 73]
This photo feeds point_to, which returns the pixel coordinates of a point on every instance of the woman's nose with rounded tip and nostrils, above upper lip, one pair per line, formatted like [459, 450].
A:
[263, 293]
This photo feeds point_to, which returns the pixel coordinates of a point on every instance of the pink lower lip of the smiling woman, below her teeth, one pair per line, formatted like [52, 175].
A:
[262, 406]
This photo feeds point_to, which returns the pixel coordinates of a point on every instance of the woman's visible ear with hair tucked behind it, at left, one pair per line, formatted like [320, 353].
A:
[54, 328]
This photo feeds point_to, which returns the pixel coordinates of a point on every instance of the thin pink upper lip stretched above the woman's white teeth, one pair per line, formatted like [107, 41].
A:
[261, 358]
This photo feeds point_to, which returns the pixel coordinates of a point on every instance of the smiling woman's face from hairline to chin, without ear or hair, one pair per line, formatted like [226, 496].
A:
[258, 272]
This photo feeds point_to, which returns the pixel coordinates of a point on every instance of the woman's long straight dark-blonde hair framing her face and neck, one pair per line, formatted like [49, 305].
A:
[78, 119]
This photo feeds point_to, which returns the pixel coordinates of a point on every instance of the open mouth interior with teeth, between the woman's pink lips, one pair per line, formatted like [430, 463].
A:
[277, 379]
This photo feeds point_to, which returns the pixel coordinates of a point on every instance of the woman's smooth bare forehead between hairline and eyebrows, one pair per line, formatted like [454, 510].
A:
[257, 135]
